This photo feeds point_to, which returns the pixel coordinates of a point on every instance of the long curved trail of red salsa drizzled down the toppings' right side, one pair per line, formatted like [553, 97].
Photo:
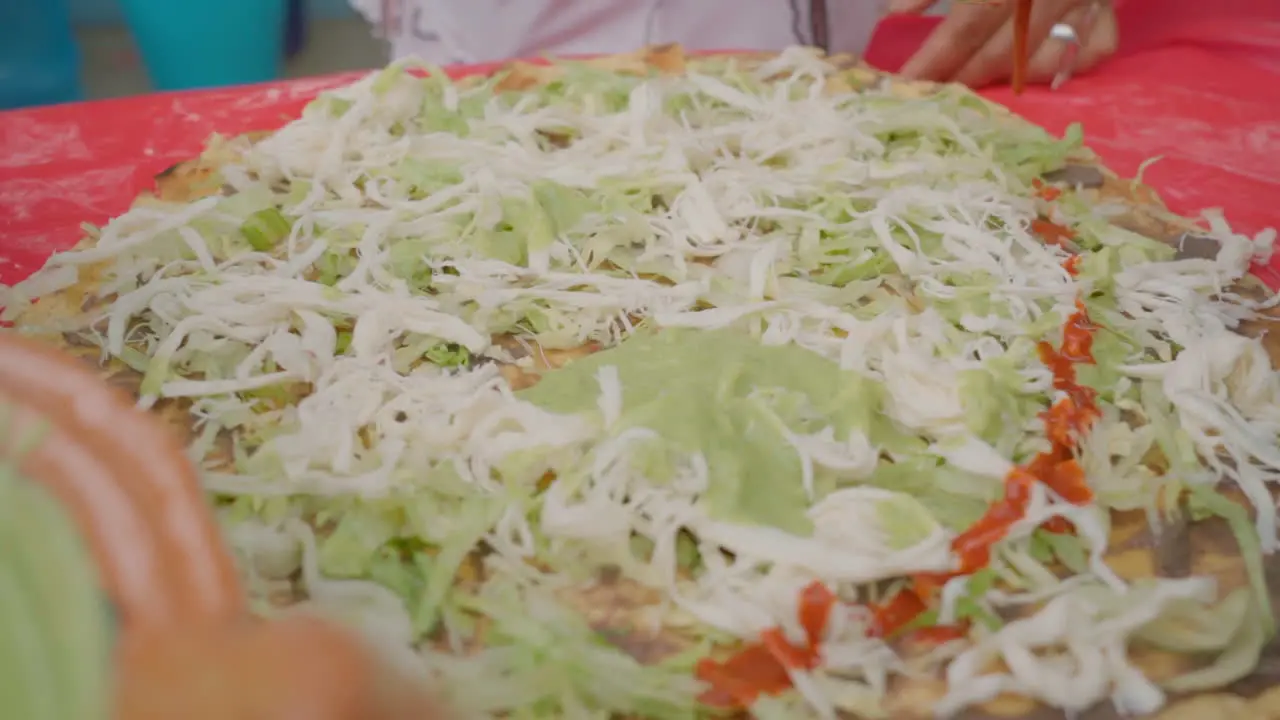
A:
[762, 668]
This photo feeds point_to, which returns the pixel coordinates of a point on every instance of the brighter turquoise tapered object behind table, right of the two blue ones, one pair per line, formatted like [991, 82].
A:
[190, 44]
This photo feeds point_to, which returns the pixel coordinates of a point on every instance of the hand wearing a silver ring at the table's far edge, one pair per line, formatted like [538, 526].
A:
[975, 45]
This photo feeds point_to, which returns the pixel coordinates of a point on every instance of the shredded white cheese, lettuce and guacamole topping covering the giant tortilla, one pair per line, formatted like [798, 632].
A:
[353, 323]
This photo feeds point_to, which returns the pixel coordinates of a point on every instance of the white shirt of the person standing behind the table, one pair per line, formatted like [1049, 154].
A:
[481, 31]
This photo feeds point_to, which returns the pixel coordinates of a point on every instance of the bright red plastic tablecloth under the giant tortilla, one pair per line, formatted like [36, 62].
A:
[1197, 95]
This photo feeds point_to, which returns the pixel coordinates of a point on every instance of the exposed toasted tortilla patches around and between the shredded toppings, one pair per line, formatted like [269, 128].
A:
[614, 605]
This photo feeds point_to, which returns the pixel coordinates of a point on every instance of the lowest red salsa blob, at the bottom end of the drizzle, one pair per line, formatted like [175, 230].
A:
[762, 668]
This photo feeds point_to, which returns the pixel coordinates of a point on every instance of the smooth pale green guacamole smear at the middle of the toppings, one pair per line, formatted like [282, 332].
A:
[733, 399]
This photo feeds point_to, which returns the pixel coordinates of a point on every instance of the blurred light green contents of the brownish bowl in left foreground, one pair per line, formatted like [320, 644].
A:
[56, 626]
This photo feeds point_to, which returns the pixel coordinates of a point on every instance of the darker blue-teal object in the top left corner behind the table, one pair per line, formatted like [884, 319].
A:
[39, 57]
